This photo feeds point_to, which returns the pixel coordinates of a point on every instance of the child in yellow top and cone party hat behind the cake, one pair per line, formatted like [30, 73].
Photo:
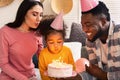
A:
[54, 36]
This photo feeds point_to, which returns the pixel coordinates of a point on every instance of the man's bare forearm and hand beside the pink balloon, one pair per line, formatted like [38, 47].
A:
[96, 71]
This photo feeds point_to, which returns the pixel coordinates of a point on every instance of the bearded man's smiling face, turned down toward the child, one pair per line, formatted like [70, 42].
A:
[91, 26]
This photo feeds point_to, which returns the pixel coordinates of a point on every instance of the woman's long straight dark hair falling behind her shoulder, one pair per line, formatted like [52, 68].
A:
[22, 10]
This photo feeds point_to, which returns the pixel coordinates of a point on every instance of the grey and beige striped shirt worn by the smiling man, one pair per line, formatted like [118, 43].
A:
[111, 55]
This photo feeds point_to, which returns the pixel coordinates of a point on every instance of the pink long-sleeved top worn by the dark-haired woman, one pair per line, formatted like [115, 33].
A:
[16, 51]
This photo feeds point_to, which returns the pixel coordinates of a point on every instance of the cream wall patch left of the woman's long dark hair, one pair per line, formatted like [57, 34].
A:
[7, 13]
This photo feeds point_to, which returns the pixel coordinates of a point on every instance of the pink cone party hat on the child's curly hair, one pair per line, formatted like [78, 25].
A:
[57, 24]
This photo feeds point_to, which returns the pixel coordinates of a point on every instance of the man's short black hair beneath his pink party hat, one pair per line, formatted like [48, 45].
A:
[100, 10]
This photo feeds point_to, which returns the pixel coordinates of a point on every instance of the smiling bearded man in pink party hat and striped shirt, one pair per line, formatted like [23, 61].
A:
[103, 41]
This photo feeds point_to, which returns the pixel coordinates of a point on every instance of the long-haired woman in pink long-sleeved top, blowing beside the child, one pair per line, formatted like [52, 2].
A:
[19, 42]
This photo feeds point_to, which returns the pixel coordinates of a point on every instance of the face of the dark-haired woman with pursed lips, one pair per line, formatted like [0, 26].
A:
[34, 16]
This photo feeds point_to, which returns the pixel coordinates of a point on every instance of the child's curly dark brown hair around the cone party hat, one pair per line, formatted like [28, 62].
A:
[45, 29]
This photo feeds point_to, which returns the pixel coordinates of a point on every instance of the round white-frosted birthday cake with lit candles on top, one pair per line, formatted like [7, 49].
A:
[59, 69]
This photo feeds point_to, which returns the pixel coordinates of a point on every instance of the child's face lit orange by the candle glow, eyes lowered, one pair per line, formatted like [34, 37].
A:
[55, 42]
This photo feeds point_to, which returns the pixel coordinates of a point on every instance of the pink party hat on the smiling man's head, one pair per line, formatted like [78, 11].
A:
[87, 5]
